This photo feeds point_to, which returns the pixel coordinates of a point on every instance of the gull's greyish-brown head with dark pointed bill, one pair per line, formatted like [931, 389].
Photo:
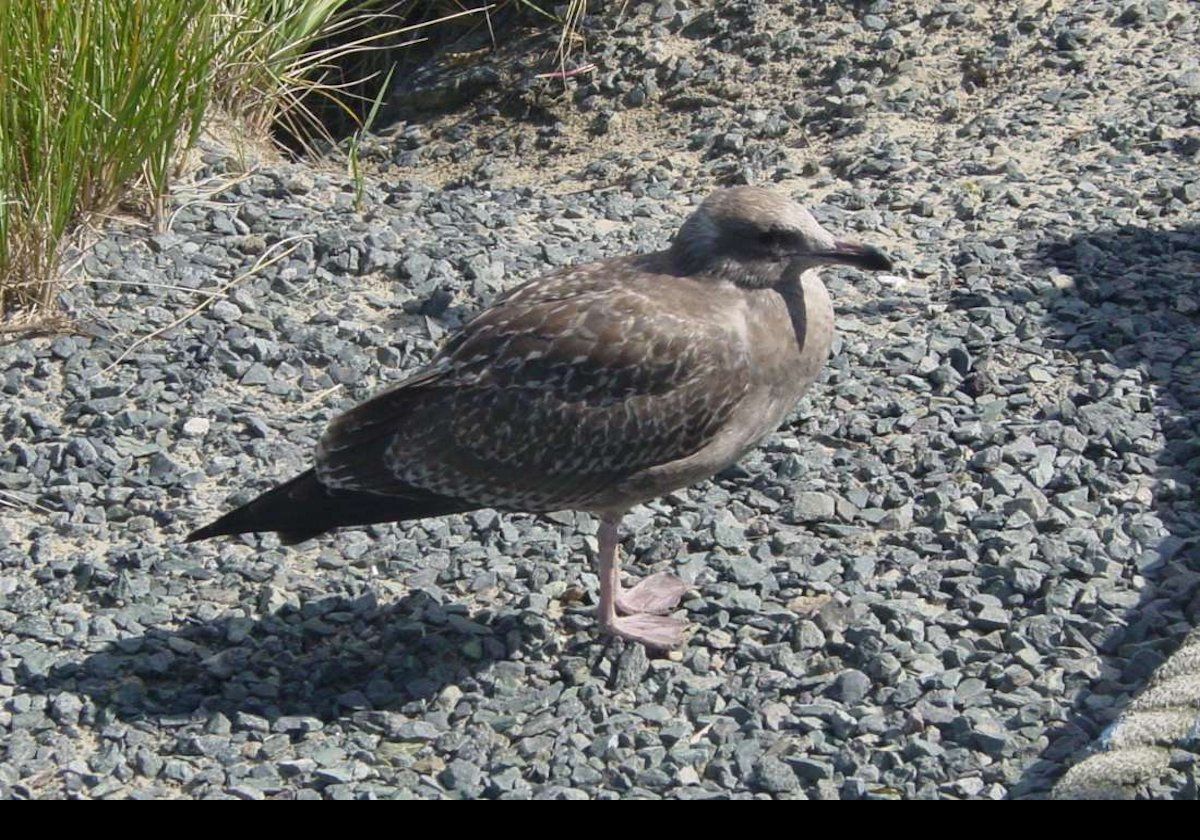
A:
[759, 238]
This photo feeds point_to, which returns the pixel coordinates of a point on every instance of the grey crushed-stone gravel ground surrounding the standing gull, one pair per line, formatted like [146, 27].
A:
[947, 577]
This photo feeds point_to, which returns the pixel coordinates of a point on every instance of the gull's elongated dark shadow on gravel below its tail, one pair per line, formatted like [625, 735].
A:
[326, 661]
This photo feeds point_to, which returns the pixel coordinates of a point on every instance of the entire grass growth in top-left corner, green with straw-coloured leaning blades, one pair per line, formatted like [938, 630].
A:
[99, 95]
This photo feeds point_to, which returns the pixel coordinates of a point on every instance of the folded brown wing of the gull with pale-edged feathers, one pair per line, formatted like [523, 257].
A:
[547, 399]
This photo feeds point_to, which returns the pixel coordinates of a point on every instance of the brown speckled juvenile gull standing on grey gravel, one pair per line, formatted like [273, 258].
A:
[595, 388]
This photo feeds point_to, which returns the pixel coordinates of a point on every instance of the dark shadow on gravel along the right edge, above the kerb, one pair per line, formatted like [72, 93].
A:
[1135, 313]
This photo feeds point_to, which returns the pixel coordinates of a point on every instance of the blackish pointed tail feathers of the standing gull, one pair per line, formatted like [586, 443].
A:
[304, 508]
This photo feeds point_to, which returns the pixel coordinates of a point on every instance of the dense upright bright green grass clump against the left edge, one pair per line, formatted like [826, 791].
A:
[93, 94]
